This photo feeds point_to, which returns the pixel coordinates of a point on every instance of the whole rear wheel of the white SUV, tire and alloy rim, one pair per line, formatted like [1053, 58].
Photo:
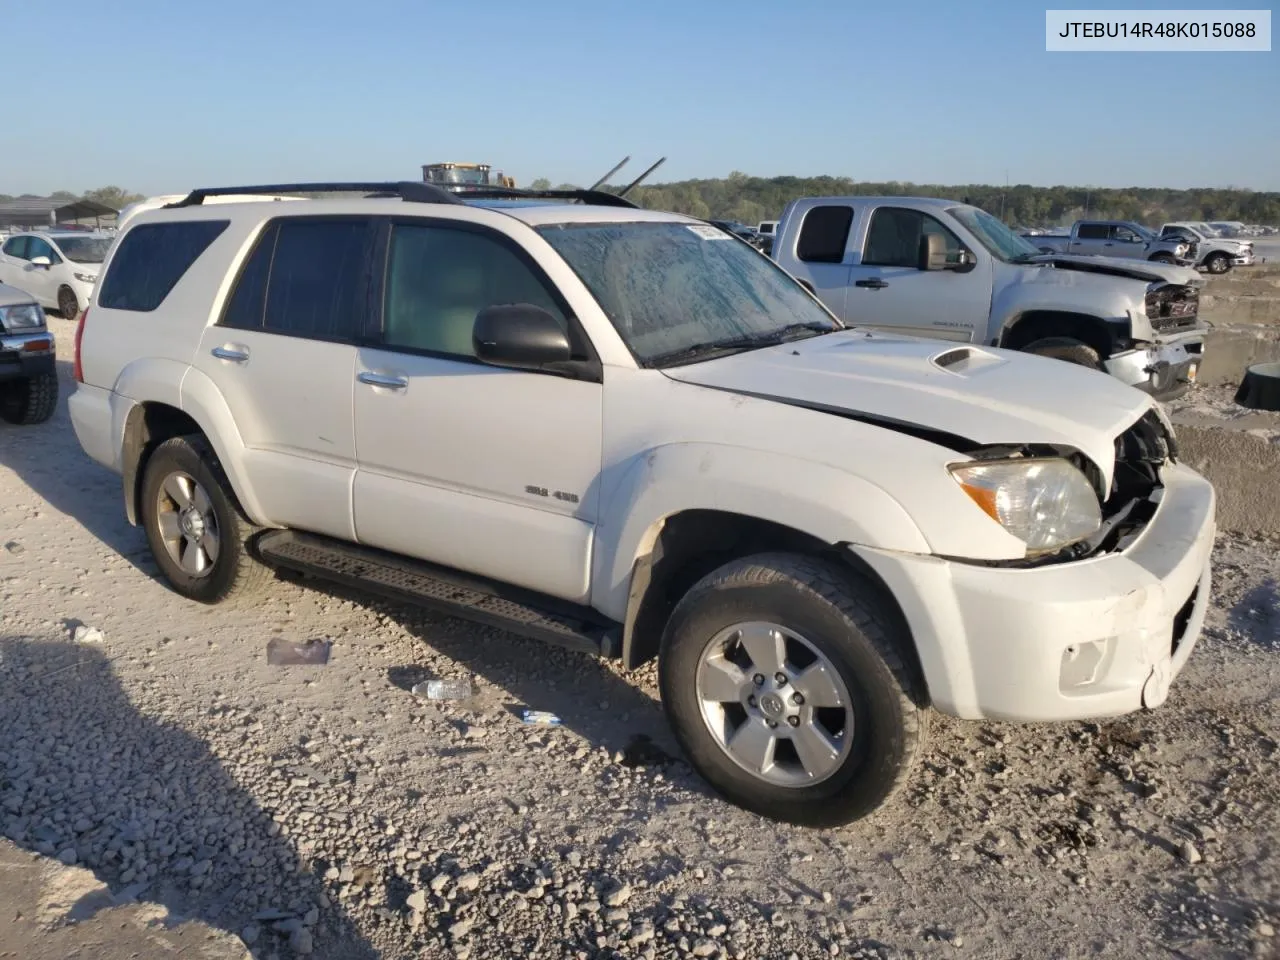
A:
[220, 565]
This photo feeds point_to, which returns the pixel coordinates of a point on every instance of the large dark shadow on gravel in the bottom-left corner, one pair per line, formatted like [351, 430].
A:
[88, 779]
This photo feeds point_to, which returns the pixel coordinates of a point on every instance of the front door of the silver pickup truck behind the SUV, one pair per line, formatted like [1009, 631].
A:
[889, 290]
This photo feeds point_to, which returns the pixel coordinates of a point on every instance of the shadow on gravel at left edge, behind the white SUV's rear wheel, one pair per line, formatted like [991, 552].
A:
[51, 461]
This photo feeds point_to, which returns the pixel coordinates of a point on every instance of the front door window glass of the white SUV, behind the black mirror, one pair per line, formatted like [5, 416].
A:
[440, 278]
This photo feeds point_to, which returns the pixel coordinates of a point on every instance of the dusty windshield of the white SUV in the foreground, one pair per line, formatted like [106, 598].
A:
[675, 289]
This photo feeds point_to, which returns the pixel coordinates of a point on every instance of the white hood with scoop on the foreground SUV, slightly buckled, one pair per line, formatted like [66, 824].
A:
[954, 395]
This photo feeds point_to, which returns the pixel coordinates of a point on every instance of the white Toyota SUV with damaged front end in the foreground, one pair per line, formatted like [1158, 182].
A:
[625, 432]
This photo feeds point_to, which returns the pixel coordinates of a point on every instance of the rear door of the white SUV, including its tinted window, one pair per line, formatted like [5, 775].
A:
[284, 356]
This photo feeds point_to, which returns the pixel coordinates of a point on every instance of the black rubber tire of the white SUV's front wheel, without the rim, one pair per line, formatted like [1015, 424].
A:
[868, 646]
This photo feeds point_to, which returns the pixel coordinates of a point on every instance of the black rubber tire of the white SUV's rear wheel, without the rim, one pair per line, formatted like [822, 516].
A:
[235, 573]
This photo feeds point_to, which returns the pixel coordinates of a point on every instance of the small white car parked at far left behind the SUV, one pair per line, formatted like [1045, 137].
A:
[60, 269]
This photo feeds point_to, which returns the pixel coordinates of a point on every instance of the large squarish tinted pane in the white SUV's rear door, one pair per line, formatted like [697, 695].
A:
[318, 280]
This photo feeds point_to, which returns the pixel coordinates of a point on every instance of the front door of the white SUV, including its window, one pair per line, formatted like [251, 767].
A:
[461, 464]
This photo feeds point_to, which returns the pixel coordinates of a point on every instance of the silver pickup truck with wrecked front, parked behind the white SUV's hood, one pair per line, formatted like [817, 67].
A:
[948, 271]
